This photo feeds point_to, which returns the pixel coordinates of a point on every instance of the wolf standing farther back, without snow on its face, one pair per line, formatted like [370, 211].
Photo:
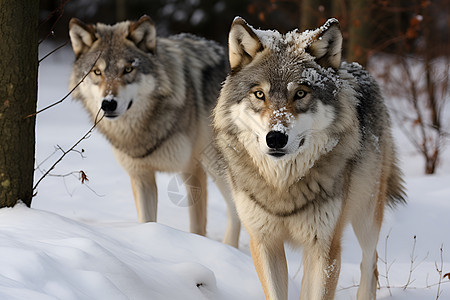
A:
[155, 97]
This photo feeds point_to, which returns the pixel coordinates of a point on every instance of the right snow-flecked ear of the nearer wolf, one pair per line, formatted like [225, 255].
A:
[327, 46]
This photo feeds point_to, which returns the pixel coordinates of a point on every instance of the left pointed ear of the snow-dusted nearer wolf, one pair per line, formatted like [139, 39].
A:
[243, 44]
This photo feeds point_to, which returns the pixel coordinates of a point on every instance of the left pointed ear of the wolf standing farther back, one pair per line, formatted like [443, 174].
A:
[81, 35]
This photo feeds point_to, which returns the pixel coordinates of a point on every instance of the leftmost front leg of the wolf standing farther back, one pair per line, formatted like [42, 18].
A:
[145, 196]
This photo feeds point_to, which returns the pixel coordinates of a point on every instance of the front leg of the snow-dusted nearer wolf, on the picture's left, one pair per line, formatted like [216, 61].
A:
[270, 262]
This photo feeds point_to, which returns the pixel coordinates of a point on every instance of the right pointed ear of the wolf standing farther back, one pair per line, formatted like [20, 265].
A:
[143, 34]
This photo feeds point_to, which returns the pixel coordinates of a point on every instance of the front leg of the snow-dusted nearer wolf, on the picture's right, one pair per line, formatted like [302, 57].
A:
[320, 272]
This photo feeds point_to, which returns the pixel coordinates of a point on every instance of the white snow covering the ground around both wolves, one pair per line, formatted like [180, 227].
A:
[83, 241]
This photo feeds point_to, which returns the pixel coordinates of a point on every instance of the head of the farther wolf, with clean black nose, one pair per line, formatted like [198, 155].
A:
[117, 58]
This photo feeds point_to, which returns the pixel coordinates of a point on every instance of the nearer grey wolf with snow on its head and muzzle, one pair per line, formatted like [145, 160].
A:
[308, 148]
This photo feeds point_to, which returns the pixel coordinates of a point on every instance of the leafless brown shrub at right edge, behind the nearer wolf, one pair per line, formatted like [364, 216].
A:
[416, 74]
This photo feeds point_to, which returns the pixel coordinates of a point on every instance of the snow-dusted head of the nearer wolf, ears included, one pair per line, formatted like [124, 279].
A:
[282, 89]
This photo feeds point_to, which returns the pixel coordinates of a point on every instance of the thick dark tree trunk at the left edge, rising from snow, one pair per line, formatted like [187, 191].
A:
[18, 94]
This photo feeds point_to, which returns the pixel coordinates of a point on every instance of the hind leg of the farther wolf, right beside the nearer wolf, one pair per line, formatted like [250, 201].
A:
[234, 224]
